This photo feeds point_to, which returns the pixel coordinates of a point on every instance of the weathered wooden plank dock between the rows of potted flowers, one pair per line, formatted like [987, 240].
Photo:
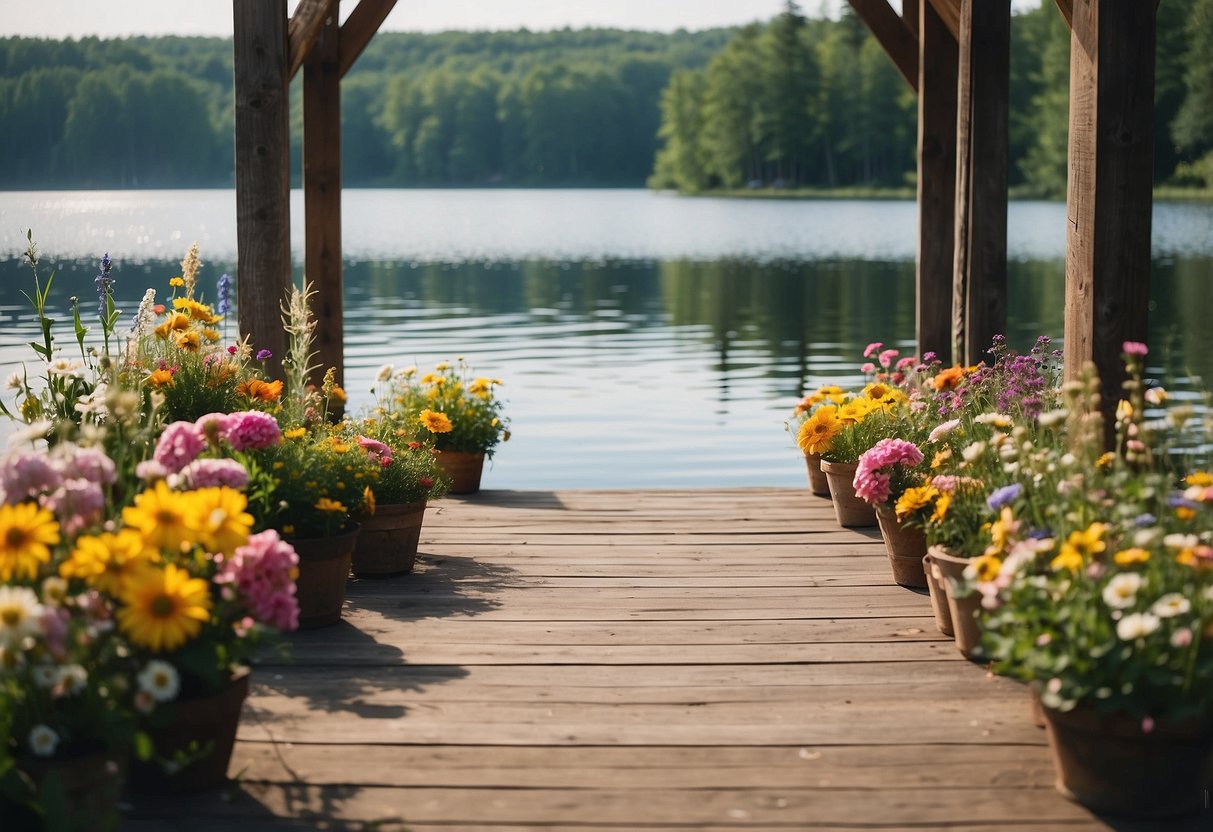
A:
[634, 662]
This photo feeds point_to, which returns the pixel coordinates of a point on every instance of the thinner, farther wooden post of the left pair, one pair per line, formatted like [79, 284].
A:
[322, 195]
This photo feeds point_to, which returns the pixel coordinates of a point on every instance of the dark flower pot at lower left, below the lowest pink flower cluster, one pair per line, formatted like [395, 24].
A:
[192, 726]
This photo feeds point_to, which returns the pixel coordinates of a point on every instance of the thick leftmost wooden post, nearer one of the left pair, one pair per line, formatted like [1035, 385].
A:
[263, 172]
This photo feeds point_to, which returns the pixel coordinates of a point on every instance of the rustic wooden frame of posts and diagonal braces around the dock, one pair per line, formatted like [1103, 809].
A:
[954, 54]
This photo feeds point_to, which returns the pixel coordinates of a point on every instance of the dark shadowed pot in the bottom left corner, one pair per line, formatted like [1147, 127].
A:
[93, 785]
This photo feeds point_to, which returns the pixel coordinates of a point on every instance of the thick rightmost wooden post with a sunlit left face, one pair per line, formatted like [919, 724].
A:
[1109, 201]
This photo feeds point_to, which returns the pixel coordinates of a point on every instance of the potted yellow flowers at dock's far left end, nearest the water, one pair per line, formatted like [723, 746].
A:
[459, 413]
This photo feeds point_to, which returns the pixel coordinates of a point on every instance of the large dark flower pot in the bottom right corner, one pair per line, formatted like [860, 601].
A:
[1109, 765]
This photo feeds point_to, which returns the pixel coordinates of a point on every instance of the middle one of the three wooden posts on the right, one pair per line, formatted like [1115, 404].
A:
[979, 294]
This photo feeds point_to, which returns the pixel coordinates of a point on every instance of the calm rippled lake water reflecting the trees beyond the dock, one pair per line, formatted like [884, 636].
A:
[646, 340]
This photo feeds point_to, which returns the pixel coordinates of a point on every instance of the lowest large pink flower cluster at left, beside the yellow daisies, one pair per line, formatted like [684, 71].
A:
[261, 573]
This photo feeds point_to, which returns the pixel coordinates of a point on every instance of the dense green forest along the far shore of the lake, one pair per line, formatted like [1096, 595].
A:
[798, 102]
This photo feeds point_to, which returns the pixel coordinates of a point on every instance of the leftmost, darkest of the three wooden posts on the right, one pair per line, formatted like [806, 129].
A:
[937, 184]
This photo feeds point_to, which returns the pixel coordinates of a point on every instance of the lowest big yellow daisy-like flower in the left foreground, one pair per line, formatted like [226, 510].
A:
[164, 608]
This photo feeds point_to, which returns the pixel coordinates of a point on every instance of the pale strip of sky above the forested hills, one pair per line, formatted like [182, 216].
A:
[118, 19]
